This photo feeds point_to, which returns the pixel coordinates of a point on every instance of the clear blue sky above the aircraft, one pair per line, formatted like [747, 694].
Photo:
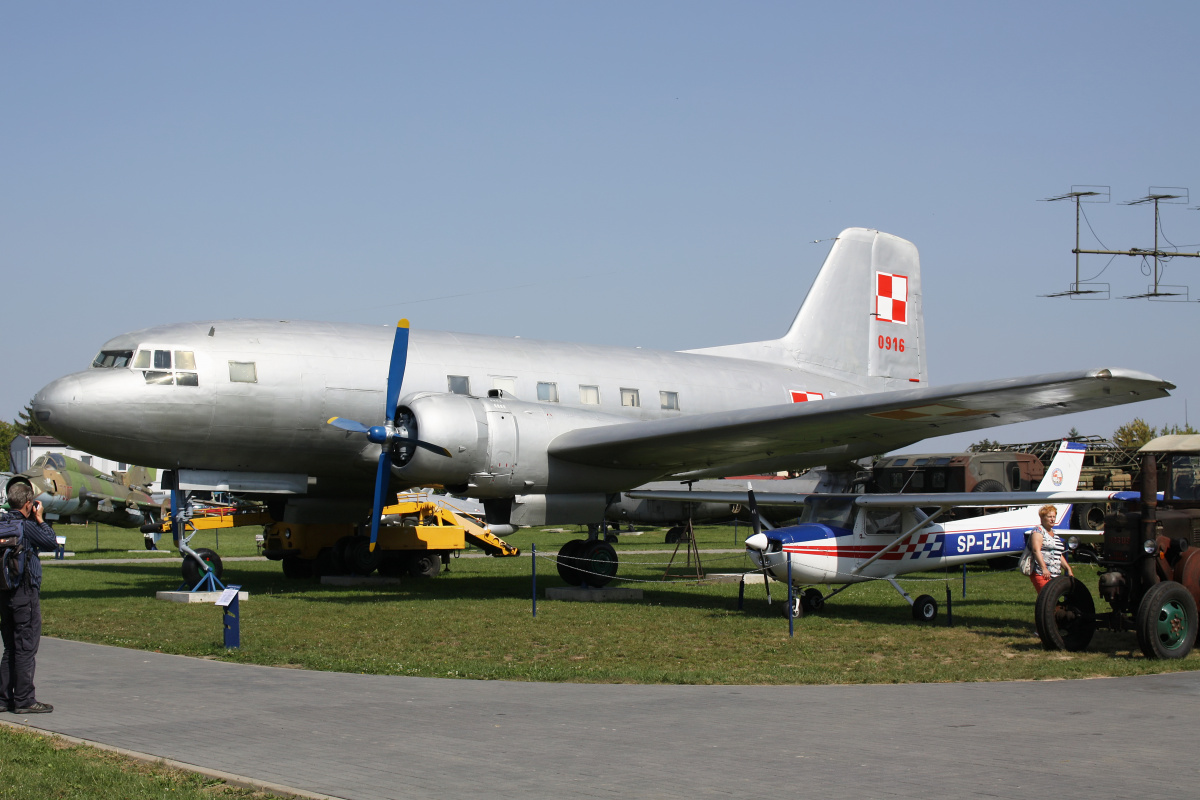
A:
[627, 173]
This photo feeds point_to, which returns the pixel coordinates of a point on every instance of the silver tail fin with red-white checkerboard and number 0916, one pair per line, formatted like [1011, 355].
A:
[862, 321]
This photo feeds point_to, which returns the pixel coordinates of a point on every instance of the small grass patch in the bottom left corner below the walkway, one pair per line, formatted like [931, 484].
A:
[34, 767]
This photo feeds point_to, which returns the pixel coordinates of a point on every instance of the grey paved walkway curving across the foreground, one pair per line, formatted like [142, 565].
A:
[367, 737]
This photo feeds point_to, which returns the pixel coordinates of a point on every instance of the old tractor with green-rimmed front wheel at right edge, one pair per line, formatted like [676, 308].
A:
[1151, 564]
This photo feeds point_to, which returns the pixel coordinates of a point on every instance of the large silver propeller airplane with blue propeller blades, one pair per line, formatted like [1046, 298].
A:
[307, 413]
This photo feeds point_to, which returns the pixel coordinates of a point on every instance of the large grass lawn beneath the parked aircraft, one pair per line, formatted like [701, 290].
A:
[476, 622]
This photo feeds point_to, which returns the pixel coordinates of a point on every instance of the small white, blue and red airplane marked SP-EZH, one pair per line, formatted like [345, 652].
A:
[848, 539]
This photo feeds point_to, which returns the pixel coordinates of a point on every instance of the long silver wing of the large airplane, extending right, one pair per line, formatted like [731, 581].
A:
[808, 435]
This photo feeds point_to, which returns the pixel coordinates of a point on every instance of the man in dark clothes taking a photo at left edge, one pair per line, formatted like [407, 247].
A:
[21, 607]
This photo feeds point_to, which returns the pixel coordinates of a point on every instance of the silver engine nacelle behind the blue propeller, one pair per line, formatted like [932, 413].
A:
[500, 446]
